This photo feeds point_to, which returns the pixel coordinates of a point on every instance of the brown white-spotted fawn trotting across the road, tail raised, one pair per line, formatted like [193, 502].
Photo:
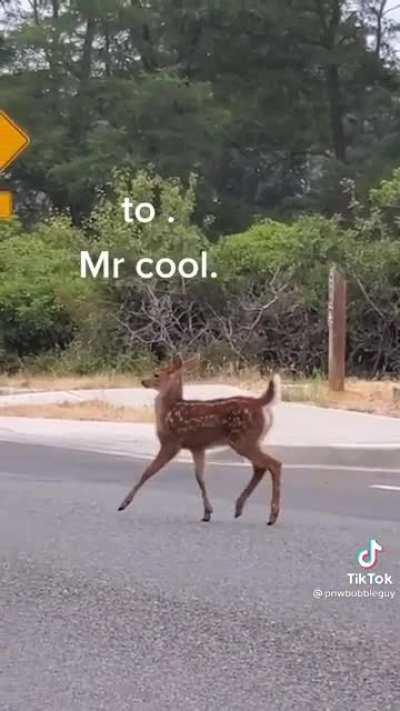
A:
[197, 425]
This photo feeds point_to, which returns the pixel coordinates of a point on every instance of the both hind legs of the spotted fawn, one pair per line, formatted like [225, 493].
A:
[261, 462]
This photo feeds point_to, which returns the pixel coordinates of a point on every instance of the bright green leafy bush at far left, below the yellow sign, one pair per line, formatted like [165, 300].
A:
[41, 294]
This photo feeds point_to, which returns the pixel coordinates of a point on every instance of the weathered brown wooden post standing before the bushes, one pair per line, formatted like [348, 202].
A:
[337, 329]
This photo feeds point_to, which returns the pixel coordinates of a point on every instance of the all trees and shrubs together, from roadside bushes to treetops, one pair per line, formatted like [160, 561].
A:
[269, 131]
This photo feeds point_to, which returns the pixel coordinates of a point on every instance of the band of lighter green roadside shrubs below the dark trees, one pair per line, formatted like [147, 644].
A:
[267, 309]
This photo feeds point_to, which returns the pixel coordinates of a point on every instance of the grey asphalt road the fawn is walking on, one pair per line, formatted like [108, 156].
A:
[152, 610]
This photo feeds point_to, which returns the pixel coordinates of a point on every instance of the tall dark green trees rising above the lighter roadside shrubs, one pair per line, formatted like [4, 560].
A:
[270, 104]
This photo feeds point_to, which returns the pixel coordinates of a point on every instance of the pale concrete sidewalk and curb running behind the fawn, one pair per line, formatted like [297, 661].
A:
[302, 434]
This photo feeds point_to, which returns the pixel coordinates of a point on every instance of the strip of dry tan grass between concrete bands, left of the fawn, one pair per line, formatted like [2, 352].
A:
[93, 410]
